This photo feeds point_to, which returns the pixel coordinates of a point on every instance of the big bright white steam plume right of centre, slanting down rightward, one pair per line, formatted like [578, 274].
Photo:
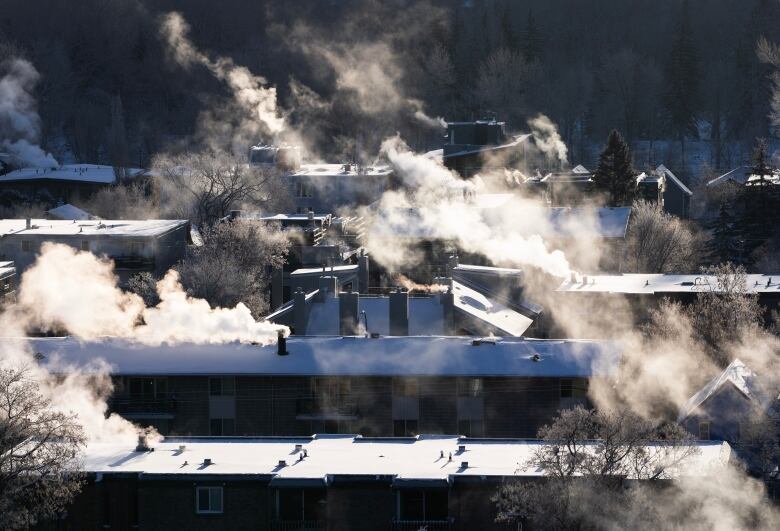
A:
[433, 203]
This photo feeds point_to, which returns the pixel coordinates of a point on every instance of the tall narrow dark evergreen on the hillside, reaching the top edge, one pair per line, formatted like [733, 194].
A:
[682, 74]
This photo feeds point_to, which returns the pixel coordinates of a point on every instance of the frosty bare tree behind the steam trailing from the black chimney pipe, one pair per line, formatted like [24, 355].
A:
[234, 264]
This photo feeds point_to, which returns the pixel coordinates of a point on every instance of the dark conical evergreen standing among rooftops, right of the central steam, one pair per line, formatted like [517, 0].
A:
[615, 174]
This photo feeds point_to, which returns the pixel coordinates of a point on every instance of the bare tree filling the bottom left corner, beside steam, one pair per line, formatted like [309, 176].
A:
[39, 448]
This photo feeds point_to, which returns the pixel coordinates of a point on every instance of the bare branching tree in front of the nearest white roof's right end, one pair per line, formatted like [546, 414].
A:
[593, 462]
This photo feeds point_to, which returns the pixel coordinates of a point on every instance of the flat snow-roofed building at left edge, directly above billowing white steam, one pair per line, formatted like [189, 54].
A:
[134, 245]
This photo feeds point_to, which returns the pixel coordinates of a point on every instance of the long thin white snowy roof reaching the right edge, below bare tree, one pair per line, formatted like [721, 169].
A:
[650, 283]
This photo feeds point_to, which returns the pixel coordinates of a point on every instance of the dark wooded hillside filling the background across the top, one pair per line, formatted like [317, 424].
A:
[351, 71]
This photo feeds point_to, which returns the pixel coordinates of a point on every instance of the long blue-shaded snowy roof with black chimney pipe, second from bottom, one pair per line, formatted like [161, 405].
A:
[342, 356]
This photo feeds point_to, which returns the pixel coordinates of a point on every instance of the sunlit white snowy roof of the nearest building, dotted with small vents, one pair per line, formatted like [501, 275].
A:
[329, 457]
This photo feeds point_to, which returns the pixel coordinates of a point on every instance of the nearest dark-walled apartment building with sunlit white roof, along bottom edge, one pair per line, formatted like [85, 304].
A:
[346, 482]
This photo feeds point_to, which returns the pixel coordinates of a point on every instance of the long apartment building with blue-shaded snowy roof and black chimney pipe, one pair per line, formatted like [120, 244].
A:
[378, 386]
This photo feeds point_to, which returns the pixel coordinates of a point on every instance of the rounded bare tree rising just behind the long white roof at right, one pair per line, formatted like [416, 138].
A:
[661, 243]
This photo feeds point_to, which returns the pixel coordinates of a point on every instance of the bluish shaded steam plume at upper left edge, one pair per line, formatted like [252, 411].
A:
[20, 125]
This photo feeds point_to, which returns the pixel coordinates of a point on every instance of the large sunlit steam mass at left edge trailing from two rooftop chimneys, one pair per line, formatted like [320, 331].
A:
[77, 292]
